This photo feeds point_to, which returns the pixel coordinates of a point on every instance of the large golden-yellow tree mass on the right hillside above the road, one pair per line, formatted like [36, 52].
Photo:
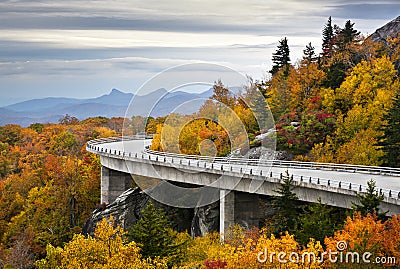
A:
[360, 105]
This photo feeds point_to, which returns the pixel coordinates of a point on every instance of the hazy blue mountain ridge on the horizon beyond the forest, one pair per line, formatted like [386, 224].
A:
[114, 104]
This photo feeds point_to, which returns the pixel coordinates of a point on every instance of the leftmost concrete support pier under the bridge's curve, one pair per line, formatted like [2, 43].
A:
[113, 184]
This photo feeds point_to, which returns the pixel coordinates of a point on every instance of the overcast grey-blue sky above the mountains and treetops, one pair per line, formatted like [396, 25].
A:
[85, 48]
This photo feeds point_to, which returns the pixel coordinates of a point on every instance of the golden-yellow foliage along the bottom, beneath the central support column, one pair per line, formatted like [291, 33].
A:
[252, 250]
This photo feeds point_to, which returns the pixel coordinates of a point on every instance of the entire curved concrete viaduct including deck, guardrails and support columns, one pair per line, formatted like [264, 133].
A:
[335, 184]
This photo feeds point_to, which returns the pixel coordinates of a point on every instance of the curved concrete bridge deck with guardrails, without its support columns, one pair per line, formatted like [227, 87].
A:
[332, 182]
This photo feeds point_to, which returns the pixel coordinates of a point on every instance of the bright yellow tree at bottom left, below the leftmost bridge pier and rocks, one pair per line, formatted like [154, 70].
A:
[106, 249]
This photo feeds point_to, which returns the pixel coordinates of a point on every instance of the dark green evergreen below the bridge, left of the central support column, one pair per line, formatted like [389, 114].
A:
[153, 234]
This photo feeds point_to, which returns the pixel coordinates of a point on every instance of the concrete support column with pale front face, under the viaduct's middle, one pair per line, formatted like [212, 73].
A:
[238, 207]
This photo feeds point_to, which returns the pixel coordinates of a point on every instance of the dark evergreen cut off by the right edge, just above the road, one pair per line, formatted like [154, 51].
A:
[390, 141]
